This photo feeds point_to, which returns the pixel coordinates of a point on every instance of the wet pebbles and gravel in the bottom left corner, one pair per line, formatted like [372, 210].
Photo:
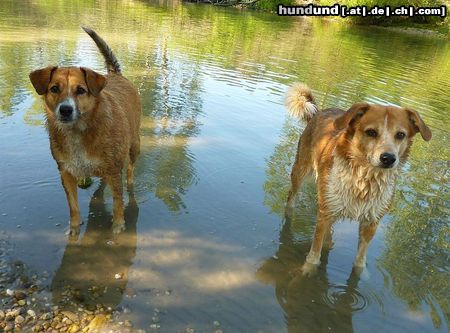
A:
[25, 305]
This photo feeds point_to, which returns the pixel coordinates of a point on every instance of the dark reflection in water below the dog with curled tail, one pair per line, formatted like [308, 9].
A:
[311, 304]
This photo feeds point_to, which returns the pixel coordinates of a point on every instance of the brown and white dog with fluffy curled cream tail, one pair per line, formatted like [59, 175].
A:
[356, 156]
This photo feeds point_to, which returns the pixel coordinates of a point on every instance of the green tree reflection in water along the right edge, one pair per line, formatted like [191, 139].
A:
[417, 240]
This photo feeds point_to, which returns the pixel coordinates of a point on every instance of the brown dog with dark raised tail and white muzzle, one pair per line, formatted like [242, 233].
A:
[93, 123]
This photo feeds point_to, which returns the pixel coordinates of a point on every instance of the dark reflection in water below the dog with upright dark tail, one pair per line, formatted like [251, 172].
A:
[94, 270]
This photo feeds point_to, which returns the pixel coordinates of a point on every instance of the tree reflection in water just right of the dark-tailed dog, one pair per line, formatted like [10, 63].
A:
[172, 104]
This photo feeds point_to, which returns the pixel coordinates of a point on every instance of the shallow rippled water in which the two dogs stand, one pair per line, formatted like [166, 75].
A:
[206, 239]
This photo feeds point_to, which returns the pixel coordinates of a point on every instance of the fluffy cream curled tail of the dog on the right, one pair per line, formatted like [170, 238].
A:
[300, 102]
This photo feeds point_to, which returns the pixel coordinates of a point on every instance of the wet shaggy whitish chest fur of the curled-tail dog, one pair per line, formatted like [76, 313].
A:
[361, 193]
